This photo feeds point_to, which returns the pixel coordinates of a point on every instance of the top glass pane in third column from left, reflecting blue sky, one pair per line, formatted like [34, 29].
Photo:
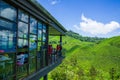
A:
[33, 26]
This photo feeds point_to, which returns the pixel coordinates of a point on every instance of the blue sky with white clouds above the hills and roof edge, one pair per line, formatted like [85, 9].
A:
[94, 18]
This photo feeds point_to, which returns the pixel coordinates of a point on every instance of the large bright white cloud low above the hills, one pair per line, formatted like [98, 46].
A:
[95, 28]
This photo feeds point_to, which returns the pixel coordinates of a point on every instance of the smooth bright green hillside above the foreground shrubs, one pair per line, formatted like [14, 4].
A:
[102, 56]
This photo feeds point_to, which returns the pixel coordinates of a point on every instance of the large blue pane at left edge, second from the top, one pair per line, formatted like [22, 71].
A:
[7, 37]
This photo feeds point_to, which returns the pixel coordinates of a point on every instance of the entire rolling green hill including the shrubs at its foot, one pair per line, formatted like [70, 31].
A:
[88, 60]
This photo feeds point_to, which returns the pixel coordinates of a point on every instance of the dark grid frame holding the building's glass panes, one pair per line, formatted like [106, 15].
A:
[28, 38]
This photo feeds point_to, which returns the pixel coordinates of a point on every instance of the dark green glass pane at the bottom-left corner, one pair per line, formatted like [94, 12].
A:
[6, 66]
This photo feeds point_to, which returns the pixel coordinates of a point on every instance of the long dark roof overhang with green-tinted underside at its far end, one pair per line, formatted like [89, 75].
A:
[35, 9]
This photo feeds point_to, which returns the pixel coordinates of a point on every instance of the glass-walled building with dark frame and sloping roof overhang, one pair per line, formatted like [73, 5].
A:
[25, 27]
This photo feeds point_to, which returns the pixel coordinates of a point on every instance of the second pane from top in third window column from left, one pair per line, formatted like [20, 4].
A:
[33, 42]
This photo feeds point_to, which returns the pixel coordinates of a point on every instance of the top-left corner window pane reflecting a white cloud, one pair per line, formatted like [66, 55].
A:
[7, 11]
